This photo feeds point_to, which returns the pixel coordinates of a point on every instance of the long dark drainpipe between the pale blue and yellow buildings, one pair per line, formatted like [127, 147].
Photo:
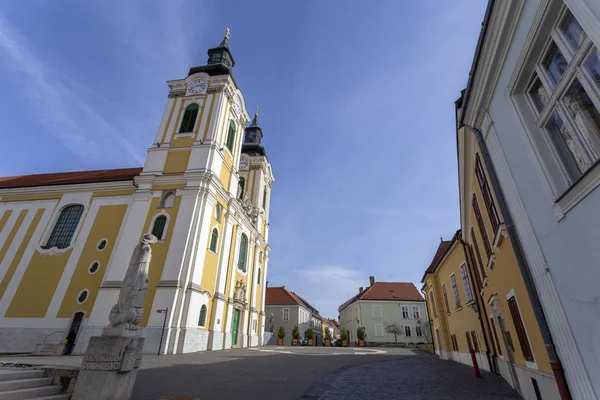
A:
[557, 369]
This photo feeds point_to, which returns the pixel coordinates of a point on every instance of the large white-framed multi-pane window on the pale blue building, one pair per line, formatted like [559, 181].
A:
[563, 93]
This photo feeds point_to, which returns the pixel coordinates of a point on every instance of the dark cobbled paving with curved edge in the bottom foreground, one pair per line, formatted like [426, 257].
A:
[423, 377]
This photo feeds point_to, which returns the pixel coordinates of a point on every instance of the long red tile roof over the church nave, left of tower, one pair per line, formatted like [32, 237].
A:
[67, 178]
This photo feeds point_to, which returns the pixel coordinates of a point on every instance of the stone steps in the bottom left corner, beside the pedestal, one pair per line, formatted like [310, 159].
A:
[28, 384]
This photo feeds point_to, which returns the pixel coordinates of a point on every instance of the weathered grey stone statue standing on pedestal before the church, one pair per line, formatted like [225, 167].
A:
[128, 312]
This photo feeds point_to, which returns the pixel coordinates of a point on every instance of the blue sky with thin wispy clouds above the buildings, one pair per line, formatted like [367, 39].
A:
[356, 104]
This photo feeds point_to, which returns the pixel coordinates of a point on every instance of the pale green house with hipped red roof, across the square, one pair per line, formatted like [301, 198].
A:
[384, 304]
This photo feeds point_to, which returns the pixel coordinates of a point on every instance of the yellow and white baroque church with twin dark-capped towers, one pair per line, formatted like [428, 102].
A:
[204, 191]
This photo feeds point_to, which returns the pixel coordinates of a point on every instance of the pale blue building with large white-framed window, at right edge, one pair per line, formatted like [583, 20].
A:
[534, 96]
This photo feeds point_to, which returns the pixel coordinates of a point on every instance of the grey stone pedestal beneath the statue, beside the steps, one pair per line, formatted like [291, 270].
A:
[109, 368]
